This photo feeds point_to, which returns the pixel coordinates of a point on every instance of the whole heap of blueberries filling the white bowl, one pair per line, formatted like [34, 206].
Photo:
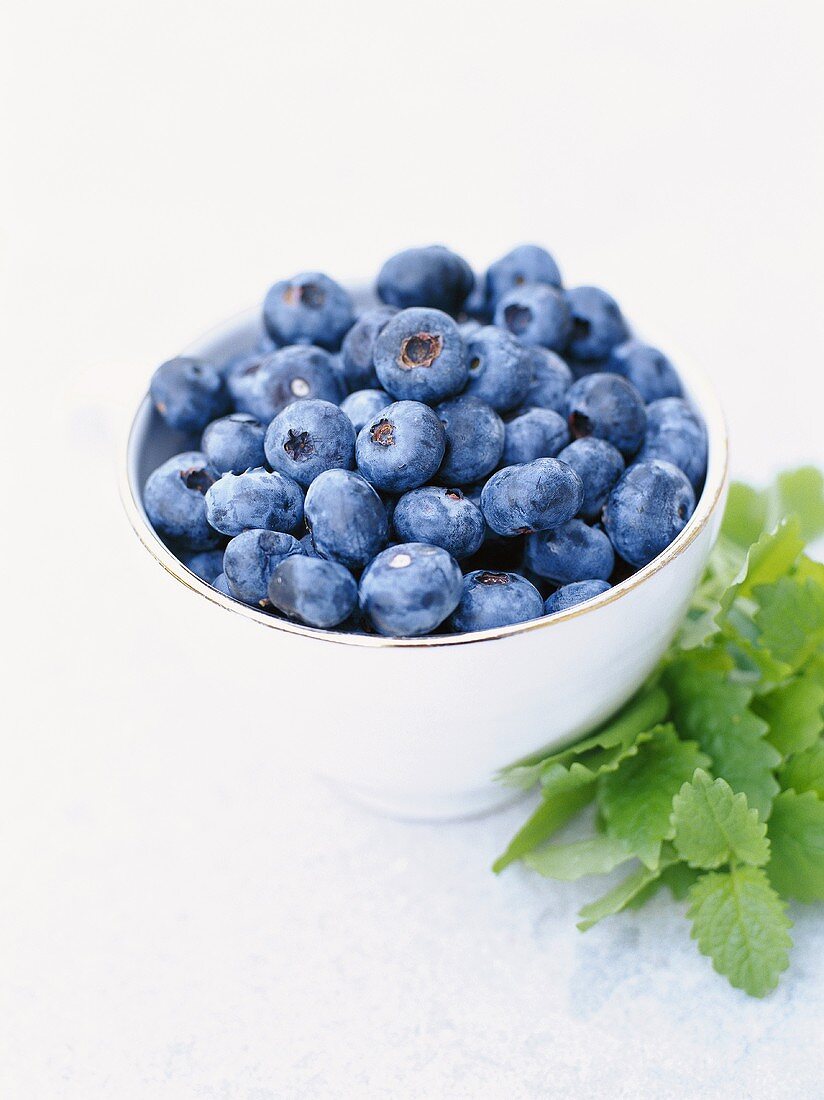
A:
[469, 454]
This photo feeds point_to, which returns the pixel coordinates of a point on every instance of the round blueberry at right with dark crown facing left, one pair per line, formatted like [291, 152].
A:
[609, 408]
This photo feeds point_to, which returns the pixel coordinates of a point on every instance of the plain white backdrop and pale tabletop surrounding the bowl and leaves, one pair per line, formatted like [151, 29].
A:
[178, 918]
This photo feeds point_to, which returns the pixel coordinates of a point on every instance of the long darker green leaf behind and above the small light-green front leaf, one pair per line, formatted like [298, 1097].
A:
[713, 710]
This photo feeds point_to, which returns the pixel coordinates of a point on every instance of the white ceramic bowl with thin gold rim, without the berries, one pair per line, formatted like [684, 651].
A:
[419, 727]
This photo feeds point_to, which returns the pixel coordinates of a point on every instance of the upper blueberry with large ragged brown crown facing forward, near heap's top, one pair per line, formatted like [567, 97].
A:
[420, 357]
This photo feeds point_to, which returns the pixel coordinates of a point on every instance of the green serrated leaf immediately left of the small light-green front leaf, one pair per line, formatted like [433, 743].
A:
[636, 800]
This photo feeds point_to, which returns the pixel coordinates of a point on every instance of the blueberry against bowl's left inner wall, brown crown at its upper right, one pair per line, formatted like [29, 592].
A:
[175, 502]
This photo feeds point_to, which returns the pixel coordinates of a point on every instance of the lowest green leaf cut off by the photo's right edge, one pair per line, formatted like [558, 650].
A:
[797, 837]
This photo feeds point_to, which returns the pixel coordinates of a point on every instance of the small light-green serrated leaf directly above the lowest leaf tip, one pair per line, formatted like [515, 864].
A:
[713, 826]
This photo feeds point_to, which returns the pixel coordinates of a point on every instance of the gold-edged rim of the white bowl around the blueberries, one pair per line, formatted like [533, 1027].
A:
[700, 390]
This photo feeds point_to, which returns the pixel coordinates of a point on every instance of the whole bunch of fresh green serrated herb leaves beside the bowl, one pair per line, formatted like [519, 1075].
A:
[711, 782]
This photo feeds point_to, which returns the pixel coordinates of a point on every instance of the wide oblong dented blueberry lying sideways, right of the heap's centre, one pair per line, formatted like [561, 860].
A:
[533, 498]
